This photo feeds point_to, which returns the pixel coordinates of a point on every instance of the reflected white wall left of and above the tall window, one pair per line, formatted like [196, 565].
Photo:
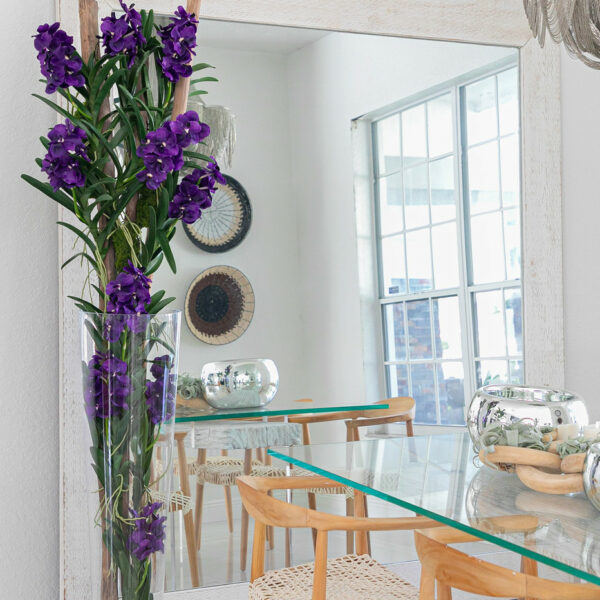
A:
[341, 77]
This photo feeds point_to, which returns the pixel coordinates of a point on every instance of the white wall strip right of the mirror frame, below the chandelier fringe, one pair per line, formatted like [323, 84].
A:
[580, 91]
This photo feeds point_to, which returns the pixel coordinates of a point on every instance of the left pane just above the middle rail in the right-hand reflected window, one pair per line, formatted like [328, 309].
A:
[487, 251]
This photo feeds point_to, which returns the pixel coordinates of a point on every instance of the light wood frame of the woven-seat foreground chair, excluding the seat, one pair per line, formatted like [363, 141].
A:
[269, 511]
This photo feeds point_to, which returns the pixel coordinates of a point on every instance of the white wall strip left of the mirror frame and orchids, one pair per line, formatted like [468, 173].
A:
[29, 566]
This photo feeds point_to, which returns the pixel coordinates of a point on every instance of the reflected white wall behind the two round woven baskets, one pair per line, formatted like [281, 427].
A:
[253, 86]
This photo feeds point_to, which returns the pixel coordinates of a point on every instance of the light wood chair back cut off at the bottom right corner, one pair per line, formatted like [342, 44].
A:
[450, 568]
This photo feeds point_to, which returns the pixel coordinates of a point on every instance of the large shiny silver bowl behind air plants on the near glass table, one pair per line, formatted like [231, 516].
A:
[509, 403]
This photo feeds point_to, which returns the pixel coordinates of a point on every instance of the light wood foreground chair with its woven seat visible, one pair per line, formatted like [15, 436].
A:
[345, 578]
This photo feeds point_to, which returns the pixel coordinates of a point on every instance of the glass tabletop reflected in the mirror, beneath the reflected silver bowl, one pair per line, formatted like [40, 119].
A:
[278, 407]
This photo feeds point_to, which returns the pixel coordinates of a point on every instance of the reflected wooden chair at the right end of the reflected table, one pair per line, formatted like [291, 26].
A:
[400, 410]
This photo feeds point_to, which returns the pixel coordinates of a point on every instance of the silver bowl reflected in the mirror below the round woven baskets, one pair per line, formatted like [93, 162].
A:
[244, 383]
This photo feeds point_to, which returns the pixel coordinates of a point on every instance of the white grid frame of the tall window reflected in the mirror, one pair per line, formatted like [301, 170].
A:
[466, 290]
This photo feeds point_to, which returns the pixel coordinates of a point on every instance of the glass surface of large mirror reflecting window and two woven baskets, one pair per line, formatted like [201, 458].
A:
[367, 242]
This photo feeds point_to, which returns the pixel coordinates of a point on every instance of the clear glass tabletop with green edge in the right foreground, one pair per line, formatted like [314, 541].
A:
[439, 477]
